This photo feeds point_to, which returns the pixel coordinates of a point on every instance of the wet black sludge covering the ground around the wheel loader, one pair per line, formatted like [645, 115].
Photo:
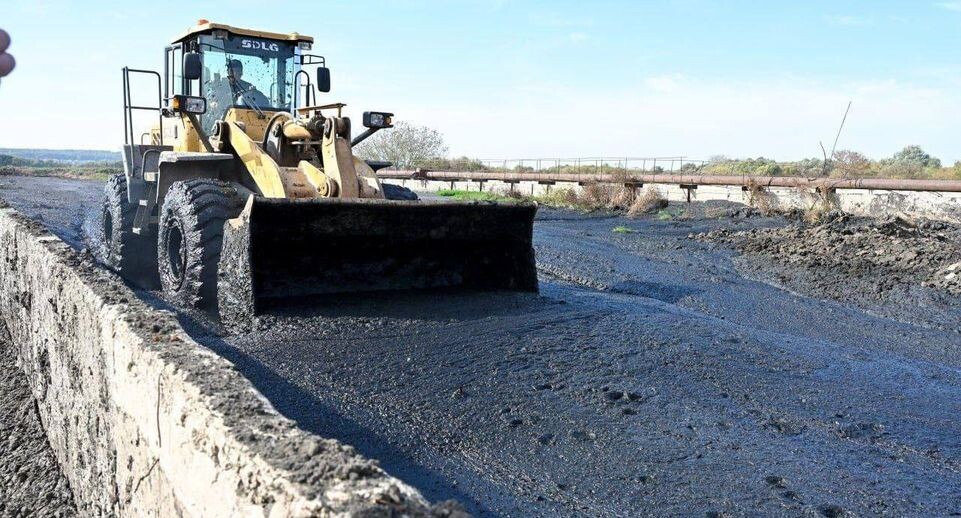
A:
[655, 374]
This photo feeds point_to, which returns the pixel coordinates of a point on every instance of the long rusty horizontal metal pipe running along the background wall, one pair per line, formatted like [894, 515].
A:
[887, 184]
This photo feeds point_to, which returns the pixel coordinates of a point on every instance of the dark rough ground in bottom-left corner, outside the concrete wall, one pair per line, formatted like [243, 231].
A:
[30, 480]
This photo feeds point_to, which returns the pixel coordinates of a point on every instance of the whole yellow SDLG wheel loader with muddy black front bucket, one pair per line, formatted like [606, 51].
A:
[246, 193]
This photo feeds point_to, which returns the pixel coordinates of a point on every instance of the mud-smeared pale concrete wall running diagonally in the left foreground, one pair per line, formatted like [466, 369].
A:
[145, 422]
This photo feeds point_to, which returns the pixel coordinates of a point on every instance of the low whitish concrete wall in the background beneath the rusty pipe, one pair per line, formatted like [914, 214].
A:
[867, 202]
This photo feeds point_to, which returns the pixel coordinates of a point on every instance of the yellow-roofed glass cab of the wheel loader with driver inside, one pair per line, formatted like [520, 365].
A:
[244, 75]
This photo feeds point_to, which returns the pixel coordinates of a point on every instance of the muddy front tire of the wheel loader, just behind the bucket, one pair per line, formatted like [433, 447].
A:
[190, 237]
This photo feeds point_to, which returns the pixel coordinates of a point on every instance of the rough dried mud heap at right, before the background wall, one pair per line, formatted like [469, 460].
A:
[866, 261]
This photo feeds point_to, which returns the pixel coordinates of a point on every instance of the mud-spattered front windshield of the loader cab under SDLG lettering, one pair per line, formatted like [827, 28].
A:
[246, 72]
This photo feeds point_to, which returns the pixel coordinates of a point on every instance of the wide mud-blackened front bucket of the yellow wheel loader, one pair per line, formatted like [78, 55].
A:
[278, 249]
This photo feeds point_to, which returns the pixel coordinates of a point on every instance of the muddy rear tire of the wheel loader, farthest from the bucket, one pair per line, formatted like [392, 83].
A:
[133, 256]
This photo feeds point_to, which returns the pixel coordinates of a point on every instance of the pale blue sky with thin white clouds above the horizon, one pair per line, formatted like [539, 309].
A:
[509, 79]
